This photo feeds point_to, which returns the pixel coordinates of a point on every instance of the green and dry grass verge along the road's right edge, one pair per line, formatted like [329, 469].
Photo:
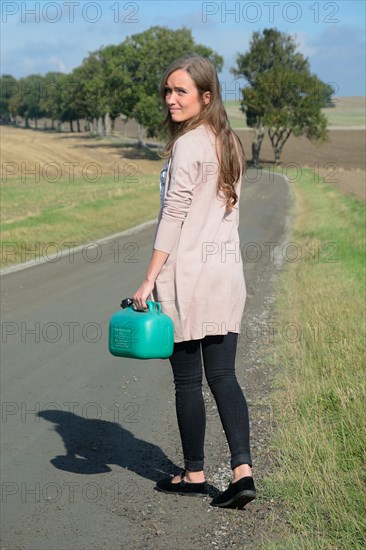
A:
[319, 403]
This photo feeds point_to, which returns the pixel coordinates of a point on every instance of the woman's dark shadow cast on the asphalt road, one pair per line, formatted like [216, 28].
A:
[93, 444]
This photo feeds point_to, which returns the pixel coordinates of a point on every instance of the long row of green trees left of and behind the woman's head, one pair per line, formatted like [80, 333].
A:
[116, 80]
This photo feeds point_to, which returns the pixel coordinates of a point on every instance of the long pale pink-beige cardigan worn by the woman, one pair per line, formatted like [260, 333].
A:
[201, 286]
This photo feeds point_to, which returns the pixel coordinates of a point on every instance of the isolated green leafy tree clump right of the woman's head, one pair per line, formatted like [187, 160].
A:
[283, 96]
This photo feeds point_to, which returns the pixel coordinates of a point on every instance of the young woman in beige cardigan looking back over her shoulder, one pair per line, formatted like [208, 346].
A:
[196, 272]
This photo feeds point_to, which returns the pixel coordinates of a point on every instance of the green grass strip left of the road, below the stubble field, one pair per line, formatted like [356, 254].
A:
[36, 214]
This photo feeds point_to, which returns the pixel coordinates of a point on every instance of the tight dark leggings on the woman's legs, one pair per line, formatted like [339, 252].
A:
[218, 354]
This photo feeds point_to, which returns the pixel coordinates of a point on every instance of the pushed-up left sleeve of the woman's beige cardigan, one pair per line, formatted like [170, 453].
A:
[182, 177]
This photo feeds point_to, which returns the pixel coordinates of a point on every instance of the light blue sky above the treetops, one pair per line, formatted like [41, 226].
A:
[43, 36]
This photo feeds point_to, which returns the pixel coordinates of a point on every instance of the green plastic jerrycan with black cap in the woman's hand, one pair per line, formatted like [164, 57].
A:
[145, 334]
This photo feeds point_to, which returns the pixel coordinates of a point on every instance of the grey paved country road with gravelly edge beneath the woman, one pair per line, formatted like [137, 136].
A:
[85, 435]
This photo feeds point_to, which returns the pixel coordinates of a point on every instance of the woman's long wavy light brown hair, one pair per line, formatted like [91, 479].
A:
[229, 149]
